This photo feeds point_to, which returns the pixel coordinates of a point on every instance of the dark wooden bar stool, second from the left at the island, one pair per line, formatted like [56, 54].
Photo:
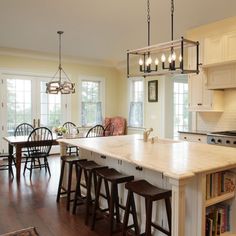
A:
[88, 168]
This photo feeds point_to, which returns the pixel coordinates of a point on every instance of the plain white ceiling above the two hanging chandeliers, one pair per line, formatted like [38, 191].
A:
[100, 29]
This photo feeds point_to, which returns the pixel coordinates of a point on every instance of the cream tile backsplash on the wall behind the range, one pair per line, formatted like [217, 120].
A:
[214, 121]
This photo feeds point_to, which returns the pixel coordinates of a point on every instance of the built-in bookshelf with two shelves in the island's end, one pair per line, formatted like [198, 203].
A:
[219, 195]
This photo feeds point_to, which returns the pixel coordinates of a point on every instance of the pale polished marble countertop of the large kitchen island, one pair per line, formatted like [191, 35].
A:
[174, 159]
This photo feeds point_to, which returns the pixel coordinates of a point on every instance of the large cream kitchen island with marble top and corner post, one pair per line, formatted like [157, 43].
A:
[179, 166]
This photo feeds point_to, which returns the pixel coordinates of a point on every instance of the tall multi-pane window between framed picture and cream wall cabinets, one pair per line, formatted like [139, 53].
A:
[181, 114]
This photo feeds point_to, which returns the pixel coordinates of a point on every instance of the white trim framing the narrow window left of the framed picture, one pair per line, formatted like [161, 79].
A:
[130, 81]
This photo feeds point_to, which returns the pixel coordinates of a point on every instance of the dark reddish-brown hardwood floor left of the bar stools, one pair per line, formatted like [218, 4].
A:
[33, 203]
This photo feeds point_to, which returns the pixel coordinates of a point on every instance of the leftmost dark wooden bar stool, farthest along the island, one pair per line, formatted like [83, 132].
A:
[72, 161]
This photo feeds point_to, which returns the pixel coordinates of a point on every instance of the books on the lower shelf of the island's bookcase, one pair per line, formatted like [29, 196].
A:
[217, 219]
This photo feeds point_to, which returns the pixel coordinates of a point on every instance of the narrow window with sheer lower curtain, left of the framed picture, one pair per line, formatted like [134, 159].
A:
[136, 102]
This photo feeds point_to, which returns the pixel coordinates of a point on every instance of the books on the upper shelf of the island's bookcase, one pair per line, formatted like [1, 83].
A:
[219, 183]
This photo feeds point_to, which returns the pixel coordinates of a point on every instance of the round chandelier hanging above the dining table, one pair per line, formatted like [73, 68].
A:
[60, 82]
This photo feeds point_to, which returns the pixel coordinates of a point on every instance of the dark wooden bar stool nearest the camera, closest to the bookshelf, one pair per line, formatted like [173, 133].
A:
[151, 193]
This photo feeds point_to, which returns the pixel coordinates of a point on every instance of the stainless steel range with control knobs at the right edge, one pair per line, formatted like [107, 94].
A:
[224, 138]
